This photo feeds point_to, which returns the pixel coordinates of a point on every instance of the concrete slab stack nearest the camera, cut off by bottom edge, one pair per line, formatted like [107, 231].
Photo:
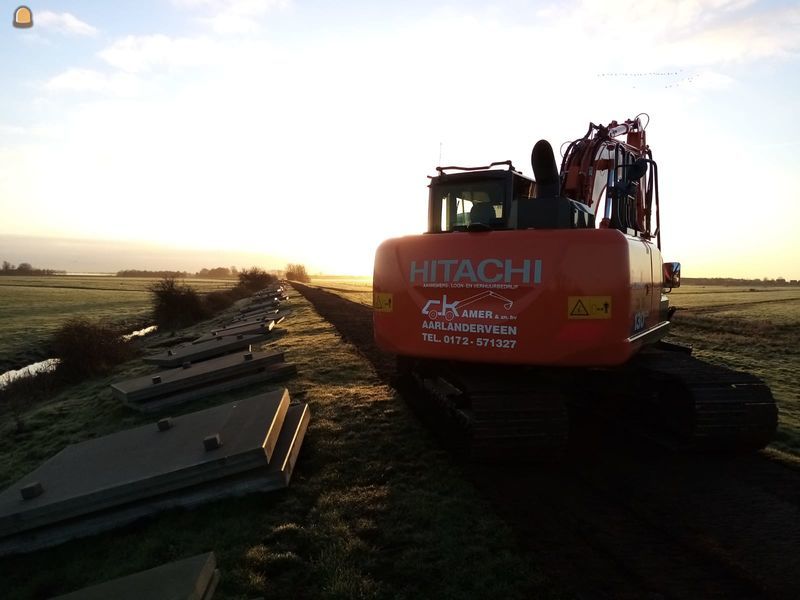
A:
[193, 578]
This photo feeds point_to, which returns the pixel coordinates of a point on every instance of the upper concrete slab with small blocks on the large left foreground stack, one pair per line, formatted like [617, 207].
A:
[146, 461]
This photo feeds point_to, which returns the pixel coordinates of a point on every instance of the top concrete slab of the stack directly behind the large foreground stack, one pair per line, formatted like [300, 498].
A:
[192, 376]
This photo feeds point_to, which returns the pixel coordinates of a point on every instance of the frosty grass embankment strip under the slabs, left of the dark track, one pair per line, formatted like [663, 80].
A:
[374, 508]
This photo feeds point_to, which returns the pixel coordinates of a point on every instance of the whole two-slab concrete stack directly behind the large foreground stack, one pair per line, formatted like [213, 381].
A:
[191, 381]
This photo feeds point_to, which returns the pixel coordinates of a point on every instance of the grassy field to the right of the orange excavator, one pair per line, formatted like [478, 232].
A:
[752, 329]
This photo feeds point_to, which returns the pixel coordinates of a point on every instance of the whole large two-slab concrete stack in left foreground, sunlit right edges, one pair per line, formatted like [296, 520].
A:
[113, 481]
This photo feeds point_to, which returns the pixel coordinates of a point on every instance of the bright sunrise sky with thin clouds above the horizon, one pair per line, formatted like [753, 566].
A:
[199, 133]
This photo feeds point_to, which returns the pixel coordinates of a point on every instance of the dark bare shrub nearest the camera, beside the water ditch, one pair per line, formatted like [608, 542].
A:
[87, 349]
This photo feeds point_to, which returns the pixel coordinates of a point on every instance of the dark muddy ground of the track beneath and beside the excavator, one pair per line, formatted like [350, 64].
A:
[619, 517]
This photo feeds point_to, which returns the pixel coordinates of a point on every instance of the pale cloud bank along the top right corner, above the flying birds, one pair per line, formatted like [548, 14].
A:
[651, 35]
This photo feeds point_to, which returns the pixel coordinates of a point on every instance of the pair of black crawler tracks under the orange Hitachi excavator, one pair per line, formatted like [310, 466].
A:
[664, 394]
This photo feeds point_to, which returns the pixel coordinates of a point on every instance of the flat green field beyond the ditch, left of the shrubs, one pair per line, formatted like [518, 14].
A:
[32, 308]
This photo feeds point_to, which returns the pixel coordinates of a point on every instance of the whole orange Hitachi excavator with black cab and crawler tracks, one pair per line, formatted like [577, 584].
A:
[528, 297]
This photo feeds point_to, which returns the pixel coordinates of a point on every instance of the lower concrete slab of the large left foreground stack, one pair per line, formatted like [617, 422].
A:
[264, 479]
